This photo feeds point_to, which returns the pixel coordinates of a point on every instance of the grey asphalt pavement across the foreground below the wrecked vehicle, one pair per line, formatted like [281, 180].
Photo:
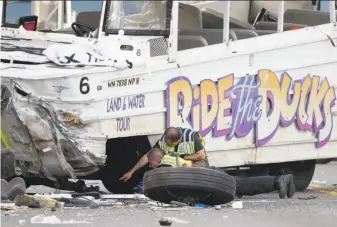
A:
[315, 207]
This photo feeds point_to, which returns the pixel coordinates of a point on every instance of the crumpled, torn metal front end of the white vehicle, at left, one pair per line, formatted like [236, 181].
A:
[52, 138]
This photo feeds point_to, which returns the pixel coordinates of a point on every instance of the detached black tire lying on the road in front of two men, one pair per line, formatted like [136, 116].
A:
[220, 185]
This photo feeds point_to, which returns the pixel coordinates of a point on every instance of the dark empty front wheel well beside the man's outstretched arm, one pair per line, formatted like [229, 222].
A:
[122, 154]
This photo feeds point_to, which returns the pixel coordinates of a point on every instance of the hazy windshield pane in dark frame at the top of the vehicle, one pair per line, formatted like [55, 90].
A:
[138, 17]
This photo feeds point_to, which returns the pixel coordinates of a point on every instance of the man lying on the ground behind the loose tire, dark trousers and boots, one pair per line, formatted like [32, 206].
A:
[284, 184]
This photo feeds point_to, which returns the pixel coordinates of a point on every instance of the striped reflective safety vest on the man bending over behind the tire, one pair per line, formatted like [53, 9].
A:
[186, 145]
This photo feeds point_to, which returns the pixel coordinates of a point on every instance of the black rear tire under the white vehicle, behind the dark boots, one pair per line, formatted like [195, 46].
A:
[302, 174]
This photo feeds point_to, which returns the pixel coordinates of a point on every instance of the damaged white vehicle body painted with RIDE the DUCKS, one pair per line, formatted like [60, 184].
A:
[267, 99]
